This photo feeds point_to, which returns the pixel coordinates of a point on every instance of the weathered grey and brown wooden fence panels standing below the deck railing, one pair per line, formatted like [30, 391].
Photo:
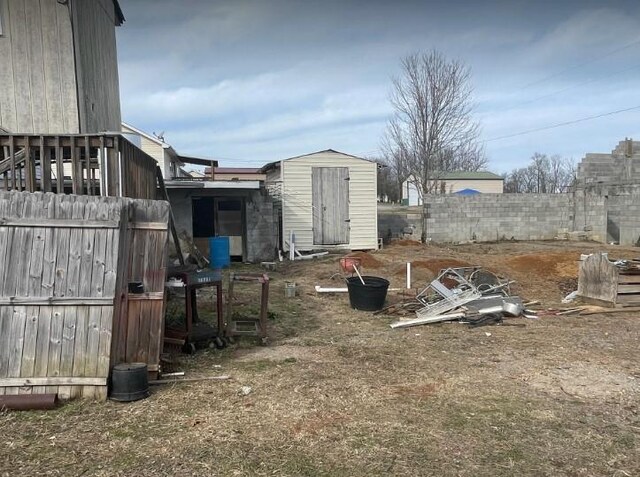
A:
[65, 264]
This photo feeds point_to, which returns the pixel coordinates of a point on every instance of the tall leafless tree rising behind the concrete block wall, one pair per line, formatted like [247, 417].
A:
[432, 130]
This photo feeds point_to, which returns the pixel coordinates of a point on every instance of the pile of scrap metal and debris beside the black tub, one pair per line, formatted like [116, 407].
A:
[470, 295]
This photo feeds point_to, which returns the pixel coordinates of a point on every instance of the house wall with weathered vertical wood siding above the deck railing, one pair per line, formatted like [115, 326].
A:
[59, 69]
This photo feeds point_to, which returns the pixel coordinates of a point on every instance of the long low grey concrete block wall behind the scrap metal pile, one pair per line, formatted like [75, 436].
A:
[489, 217]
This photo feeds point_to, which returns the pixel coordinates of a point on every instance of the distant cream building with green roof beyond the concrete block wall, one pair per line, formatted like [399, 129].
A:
[461, 182]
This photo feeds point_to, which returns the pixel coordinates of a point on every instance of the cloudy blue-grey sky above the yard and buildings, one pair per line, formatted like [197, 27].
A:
[249, 81]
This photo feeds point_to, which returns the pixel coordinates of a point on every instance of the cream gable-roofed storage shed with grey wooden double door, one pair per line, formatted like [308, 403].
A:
[328, 200]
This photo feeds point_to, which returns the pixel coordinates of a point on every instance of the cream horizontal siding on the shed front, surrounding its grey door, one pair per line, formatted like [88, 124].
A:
[297, 209]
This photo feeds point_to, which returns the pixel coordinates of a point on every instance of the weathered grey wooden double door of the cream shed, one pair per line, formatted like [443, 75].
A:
[330, 186]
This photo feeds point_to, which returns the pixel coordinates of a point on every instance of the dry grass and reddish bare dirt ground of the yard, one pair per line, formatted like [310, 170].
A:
[338, 393]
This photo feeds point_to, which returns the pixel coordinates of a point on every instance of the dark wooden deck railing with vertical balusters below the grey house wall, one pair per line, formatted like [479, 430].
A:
[94, 164]
